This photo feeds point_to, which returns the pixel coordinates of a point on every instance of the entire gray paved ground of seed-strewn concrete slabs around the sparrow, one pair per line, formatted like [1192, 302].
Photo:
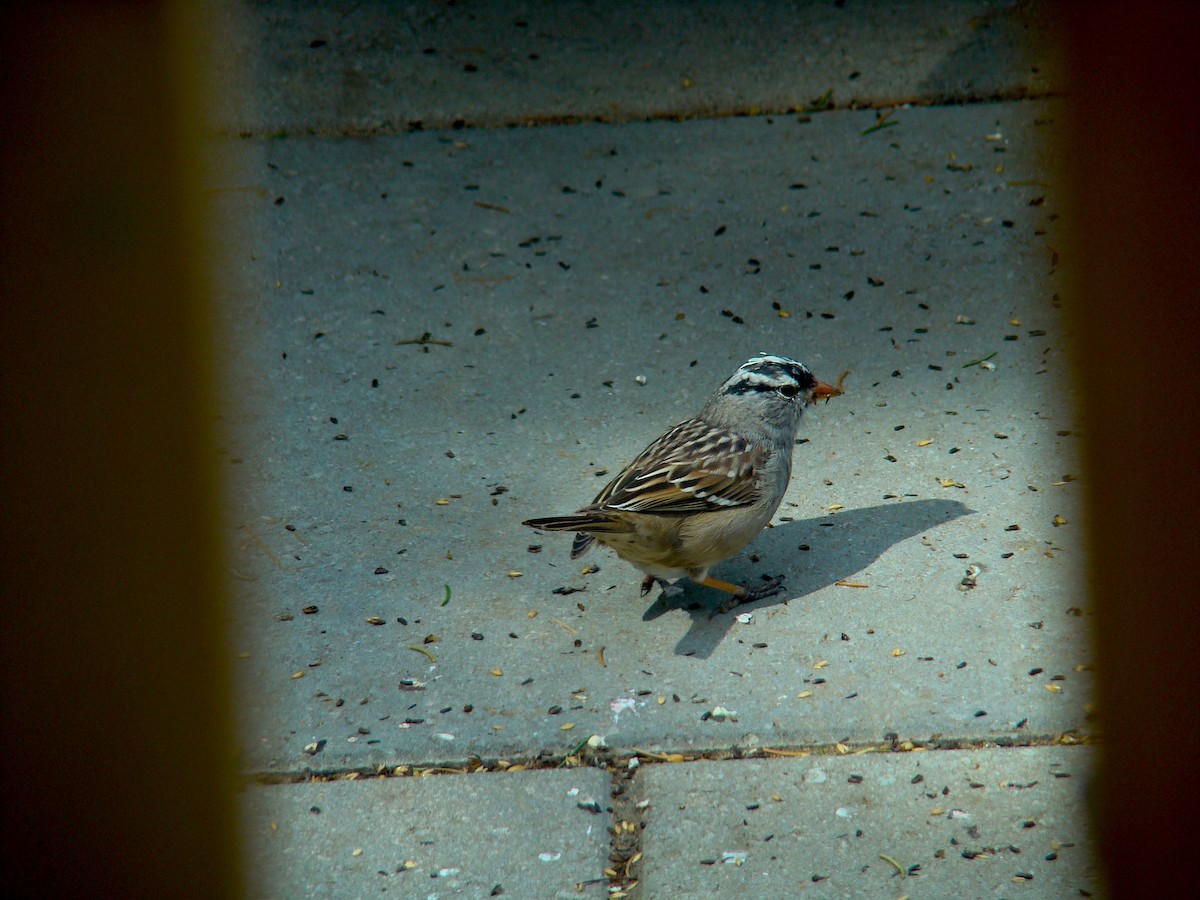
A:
[434, 335]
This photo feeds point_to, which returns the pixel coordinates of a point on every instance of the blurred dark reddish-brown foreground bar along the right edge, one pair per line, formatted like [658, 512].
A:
[1132, 170]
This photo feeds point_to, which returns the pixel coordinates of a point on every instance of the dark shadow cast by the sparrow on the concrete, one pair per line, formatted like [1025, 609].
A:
[839, 545]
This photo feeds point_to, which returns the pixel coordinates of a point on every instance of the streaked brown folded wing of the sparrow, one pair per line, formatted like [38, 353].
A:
[693, 469]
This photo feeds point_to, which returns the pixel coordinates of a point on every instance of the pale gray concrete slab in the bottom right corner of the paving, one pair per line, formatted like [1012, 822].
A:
[958, 824]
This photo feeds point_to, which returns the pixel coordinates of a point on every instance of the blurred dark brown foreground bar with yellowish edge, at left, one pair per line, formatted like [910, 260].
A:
[117, 737]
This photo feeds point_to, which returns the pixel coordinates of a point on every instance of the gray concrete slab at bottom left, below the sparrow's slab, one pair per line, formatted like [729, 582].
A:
[514, 835]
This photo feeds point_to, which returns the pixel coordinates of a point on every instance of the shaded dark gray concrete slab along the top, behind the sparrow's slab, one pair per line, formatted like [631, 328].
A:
[365, 68]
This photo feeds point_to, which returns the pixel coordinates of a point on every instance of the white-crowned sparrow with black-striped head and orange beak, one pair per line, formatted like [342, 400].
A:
[709, 485]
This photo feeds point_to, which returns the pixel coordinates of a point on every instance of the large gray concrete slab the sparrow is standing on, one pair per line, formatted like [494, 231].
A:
[436, 335]
